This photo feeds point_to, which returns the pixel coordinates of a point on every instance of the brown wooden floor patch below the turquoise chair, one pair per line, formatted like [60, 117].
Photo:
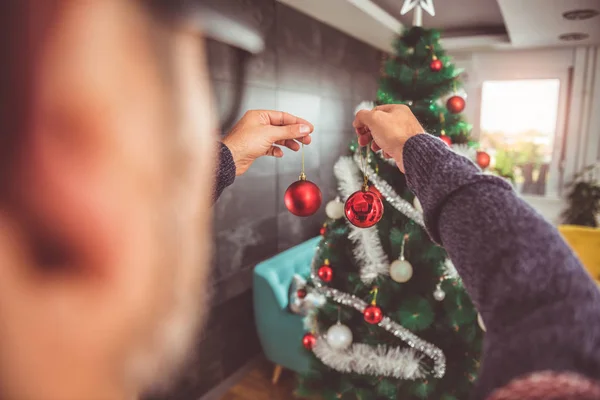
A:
[256, 385]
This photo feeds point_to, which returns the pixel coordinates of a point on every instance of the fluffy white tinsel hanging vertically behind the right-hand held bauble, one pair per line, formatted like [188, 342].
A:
[368, 251]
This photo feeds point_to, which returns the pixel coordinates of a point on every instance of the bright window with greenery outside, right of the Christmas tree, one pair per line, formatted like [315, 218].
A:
[518, 130]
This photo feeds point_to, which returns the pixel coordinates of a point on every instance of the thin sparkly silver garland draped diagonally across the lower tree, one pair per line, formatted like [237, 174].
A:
[429, 350]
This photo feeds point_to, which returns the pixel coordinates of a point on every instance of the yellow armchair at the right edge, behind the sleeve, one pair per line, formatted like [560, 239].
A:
[585, 242]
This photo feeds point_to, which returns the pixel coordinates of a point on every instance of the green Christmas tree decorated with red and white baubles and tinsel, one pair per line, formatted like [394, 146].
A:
[397, 322]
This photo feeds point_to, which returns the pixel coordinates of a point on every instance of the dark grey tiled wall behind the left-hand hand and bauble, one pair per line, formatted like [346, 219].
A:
[317, 73]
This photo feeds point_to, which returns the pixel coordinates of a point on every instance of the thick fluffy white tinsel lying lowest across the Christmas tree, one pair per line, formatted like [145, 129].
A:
[367, 360]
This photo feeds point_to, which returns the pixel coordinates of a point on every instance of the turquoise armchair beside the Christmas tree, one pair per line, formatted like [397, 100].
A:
[279, 330]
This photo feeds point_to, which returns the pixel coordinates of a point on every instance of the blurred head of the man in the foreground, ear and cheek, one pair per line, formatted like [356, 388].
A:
[104, 200]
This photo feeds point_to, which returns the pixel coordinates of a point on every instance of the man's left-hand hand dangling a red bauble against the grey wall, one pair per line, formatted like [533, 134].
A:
[257, 133]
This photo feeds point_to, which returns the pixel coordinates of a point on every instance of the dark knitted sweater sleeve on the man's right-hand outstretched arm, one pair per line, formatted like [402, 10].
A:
[541, 309]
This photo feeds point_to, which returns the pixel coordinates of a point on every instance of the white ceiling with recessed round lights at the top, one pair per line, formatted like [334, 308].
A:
[465, 24]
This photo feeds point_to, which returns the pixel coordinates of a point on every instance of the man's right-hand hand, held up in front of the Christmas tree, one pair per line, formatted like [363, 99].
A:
[388, 127]
